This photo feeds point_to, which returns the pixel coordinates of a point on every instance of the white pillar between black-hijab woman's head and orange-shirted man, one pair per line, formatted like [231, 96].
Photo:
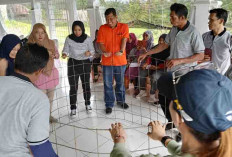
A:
[95, 15]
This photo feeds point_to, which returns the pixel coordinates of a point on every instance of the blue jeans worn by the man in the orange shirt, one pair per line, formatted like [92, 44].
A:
[116, 72]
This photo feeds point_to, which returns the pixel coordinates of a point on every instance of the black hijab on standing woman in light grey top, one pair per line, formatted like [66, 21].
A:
[83, 36]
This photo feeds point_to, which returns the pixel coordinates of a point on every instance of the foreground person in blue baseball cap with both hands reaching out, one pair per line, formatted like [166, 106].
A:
[202, 113]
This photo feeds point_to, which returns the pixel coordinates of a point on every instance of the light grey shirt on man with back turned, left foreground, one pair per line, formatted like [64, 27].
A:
[24, 116]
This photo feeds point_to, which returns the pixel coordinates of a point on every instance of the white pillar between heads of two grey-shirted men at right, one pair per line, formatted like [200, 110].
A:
[200, 13]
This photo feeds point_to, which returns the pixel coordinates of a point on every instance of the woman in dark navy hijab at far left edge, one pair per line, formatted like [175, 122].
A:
[8, 49]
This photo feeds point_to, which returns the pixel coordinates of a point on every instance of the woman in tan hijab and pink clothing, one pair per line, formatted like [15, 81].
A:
[49, 78]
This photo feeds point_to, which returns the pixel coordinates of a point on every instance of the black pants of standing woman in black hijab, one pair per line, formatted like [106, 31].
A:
[76, 69]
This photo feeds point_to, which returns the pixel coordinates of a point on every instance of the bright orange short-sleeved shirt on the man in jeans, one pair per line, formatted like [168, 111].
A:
[112, 39]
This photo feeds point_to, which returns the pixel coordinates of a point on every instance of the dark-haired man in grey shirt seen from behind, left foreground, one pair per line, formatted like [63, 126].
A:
[24, 110]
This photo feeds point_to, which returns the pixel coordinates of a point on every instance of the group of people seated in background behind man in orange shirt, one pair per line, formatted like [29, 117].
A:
[152, 67]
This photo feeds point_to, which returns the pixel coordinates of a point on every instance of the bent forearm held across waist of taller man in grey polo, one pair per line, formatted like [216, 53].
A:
[194, 58]
